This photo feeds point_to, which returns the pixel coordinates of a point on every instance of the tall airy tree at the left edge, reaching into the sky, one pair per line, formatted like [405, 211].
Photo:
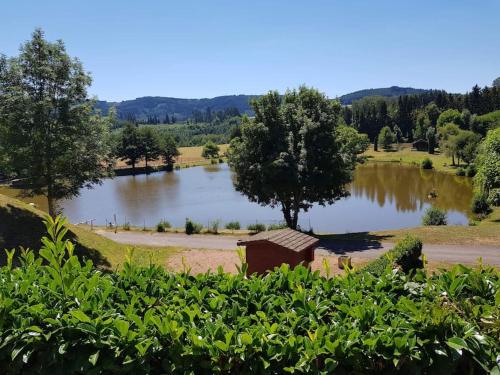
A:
[53, 138]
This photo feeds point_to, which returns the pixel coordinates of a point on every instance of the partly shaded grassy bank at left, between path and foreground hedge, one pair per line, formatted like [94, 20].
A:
[21, 225]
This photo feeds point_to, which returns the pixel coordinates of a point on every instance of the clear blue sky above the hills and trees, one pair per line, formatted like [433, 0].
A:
[206, 48]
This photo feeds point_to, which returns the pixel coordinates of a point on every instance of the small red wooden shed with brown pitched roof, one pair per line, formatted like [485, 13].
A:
[267, 250]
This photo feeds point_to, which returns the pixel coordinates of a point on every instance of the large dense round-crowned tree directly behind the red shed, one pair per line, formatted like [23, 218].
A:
[293, 154]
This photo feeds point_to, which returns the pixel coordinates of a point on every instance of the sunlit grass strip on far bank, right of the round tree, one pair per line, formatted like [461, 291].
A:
[404, 154]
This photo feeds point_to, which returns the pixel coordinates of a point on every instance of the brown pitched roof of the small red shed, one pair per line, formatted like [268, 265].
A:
[288, 238]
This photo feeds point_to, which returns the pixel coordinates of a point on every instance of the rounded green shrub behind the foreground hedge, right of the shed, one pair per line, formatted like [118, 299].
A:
[406, 255]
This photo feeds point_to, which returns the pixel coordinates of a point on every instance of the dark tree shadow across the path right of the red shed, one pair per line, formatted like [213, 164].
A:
[352, 242]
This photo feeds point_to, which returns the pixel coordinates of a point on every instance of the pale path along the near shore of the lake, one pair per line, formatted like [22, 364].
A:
[437, 253]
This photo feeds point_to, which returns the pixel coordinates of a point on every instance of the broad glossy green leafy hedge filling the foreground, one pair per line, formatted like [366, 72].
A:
[58, 315]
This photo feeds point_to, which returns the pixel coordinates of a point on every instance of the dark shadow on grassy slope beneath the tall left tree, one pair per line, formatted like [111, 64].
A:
[23, 228]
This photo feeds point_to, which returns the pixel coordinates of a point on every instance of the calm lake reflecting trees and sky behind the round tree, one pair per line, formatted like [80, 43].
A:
[383, 196]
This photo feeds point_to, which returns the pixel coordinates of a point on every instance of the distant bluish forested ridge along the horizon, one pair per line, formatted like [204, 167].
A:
[182, 109]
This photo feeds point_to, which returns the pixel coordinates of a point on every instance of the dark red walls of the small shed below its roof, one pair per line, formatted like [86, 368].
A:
[264, 256]
